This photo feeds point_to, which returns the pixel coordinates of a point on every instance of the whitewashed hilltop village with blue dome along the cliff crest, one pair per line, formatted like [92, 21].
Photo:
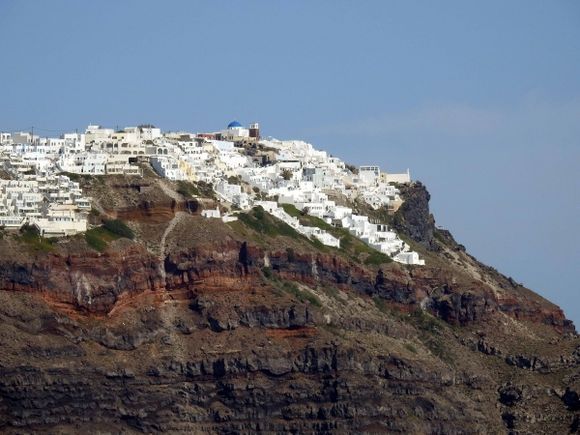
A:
[243, 169]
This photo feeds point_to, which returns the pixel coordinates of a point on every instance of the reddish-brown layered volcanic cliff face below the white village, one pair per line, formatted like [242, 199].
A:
[199, 326]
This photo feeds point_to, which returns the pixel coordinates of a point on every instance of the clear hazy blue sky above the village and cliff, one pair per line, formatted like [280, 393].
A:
[481, 100]
